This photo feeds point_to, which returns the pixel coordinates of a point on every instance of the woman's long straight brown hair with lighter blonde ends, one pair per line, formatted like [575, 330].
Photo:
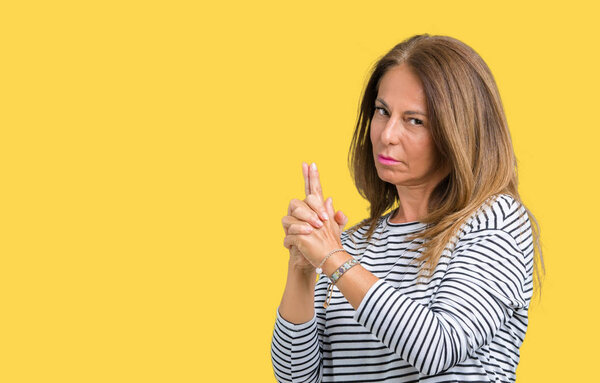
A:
[470, 131]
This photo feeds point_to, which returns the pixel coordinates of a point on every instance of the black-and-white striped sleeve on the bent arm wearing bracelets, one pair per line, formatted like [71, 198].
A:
[484, 284]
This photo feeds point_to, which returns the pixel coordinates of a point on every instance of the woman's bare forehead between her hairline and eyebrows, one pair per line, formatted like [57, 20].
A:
[401, 88]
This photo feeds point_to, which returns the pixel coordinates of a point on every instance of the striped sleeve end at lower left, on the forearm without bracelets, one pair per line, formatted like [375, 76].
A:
[296, 351]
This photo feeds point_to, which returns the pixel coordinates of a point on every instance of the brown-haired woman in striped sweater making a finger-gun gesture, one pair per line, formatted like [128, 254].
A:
[437, 289]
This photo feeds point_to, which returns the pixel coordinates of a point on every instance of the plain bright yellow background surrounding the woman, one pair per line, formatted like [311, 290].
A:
[149, 149]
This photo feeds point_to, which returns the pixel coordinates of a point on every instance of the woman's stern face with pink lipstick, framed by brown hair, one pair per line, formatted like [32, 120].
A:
[403, 148]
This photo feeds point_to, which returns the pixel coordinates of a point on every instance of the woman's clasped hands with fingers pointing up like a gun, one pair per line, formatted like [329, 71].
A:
[310, 234]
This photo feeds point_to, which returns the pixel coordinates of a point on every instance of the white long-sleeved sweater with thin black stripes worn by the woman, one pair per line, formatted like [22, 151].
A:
[464, 324]
